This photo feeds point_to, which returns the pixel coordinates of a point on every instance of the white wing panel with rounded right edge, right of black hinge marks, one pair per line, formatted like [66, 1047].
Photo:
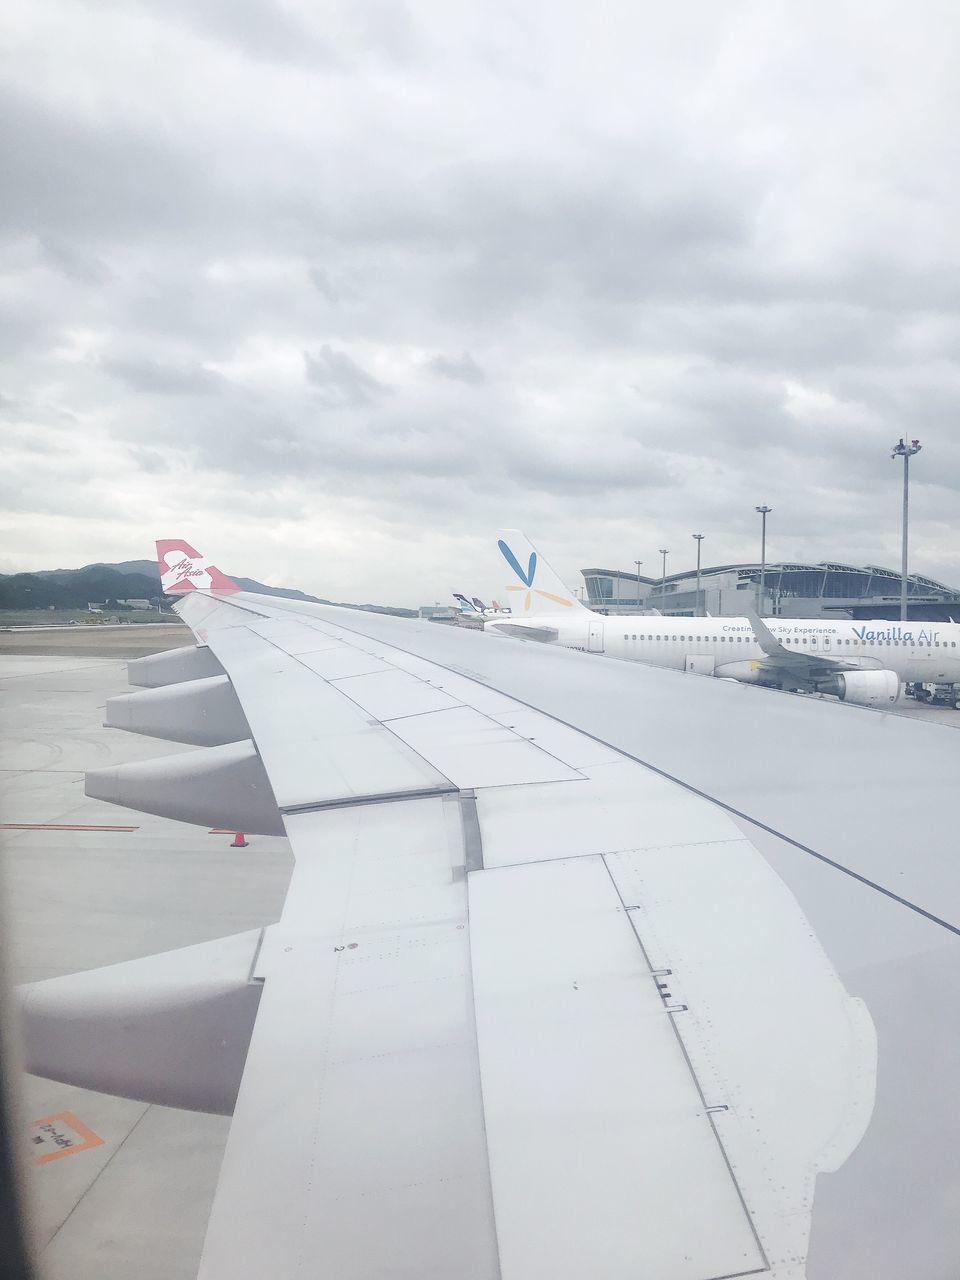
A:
[740, 957]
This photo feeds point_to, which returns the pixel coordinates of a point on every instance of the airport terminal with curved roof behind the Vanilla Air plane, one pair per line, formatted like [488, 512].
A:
[790, 592]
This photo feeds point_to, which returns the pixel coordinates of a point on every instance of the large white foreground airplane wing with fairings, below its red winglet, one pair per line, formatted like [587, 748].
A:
[586, 968]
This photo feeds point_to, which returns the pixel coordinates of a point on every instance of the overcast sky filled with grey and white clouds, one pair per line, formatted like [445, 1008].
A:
[337, 290]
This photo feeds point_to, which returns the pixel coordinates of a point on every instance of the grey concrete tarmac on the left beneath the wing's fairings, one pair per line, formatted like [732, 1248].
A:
[76, 899]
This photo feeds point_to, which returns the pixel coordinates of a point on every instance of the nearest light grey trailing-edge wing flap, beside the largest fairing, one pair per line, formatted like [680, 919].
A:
[362, 1095]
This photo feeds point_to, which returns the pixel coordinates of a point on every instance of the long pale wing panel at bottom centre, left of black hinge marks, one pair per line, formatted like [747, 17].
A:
[572, 1025]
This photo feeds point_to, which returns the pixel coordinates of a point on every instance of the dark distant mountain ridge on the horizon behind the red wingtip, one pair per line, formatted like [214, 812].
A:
[134, 580]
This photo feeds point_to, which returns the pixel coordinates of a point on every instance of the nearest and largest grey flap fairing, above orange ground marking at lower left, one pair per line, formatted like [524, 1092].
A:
[172, 1028]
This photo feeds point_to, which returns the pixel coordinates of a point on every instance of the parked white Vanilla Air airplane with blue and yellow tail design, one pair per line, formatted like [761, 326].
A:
[861, 662]
